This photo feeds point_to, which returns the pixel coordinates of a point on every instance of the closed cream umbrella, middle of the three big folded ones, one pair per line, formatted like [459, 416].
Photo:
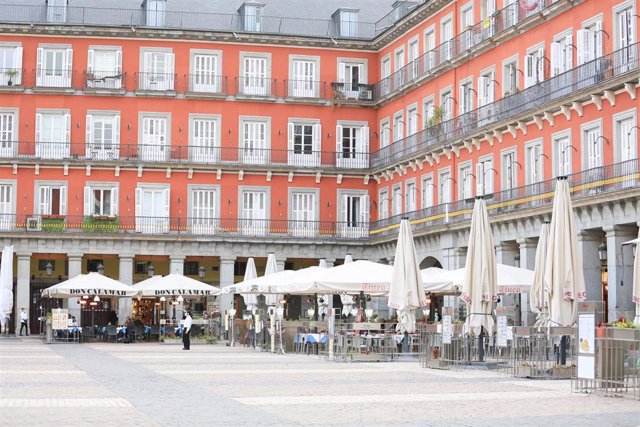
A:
[480, 284]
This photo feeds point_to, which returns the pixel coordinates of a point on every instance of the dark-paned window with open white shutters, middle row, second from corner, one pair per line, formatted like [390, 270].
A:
[304, 143]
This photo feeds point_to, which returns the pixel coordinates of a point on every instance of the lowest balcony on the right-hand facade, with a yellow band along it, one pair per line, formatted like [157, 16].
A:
[583, 185]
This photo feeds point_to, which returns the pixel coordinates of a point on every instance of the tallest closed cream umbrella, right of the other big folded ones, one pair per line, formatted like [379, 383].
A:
[564, 276]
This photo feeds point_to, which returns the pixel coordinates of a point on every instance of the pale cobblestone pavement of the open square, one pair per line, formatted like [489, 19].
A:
[152, 384]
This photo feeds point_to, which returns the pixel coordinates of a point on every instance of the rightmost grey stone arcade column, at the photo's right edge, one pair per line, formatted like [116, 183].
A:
[620, 270]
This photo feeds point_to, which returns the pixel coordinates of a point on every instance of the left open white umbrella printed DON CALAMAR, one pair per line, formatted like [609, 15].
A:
[90, 284]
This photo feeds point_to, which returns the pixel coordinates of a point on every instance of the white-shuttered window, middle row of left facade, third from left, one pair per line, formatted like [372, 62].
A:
[102, 136]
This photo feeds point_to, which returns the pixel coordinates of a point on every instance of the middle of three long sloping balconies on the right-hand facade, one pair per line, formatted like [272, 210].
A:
[524, 103]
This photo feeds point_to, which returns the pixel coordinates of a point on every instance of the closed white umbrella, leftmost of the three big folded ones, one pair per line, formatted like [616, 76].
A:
[406, 292]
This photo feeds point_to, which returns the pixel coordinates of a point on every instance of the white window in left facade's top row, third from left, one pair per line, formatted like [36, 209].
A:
[104, 67]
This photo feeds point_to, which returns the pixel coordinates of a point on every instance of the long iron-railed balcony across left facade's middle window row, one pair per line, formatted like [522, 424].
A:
[185, 154]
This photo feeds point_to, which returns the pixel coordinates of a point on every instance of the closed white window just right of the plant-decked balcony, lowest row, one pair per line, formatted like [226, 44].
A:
[152, 209]
